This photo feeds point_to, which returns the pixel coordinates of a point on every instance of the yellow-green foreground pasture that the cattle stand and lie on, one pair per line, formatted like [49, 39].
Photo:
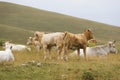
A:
[25, 67]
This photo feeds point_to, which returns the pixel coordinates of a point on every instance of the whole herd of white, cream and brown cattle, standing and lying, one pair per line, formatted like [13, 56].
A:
[62, 41]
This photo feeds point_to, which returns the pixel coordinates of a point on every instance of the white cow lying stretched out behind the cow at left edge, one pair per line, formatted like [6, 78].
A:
[17, 47]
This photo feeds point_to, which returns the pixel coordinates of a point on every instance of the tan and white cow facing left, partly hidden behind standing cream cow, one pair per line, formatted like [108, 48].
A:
[33, 41]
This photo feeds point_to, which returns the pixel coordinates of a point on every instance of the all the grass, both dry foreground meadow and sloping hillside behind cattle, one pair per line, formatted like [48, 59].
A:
[18, 22]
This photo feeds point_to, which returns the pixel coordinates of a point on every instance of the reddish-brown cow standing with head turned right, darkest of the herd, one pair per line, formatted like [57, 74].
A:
[78, 41]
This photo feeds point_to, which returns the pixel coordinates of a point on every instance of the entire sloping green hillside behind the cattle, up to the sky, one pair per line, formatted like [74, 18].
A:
[18, 20]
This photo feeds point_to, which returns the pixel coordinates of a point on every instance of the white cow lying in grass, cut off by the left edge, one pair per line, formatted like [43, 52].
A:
[7, 55]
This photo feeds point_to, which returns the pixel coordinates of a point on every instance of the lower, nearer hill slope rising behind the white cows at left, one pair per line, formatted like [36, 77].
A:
[14, 33]
